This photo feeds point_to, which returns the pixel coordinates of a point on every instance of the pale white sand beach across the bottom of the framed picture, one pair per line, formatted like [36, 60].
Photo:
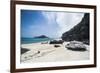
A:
[49, 53]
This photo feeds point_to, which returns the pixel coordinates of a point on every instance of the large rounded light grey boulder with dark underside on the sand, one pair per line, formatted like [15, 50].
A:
[76, 46]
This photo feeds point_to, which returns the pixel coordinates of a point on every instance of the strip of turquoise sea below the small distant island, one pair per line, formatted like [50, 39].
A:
[33, 40]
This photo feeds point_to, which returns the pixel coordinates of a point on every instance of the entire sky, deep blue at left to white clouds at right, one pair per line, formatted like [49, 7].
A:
[52, 24]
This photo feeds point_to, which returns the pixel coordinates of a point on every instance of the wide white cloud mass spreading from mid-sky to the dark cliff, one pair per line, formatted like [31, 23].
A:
[62, 21]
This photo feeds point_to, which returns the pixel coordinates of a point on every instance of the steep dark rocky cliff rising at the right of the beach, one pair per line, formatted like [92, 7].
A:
[80, 32]
